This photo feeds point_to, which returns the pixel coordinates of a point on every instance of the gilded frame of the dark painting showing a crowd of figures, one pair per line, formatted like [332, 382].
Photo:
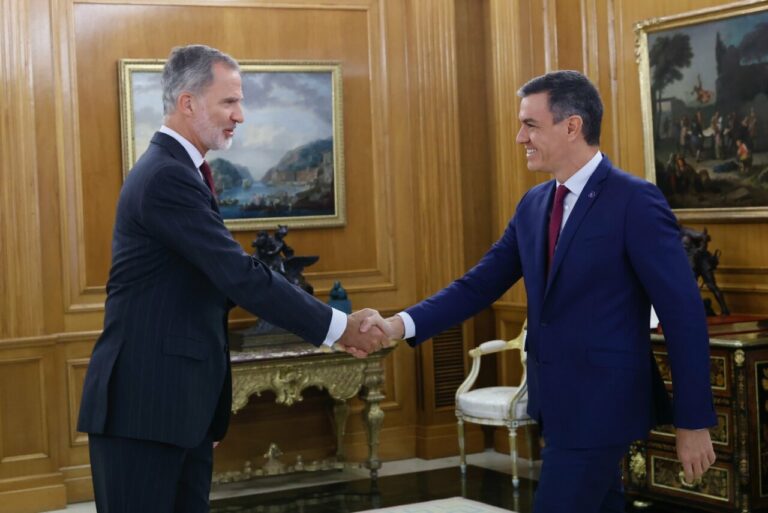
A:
[679, 23]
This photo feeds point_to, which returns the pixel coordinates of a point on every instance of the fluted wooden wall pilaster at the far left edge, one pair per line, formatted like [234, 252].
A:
[21, 289]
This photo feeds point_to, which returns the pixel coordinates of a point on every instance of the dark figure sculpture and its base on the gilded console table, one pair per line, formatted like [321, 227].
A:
[278, 256]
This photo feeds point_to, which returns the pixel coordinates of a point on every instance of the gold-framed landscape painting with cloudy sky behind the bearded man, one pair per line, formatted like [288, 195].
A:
[286, 163]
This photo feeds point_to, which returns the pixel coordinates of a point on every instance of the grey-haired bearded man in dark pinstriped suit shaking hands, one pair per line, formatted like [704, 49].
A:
[157, 394]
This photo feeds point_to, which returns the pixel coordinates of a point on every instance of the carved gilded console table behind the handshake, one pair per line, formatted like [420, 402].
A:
[289, 369]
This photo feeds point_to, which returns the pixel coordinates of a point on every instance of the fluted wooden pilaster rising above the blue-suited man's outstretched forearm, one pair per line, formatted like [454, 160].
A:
[437, 157]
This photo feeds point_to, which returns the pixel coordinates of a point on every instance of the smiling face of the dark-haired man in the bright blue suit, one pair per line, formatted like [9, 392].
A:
[546, 142]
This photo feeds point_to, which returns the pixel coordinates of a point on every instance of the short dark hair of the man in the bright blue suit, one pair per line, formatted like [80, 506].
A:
[570, 94]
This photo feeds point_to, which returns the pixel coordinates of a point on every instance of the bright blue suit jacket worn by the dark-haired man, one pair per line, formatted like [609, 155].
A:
[590, 377]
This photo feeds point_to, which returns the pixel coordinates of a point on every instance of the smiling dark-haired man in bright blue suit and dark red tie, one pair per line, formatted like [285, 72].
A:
[595, 248]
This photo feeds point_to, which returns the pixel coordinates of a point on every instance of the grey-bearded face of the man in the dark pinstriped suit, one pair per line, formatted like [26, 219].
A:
[218, 110]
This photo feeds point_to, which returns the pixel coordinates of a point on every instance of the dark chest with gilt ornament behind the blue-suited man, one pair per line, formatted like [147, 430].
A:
[738, 481]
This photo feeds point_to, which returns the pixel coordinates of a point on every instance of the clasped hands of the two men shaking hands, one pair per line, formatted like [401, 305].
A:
[367, 331]
